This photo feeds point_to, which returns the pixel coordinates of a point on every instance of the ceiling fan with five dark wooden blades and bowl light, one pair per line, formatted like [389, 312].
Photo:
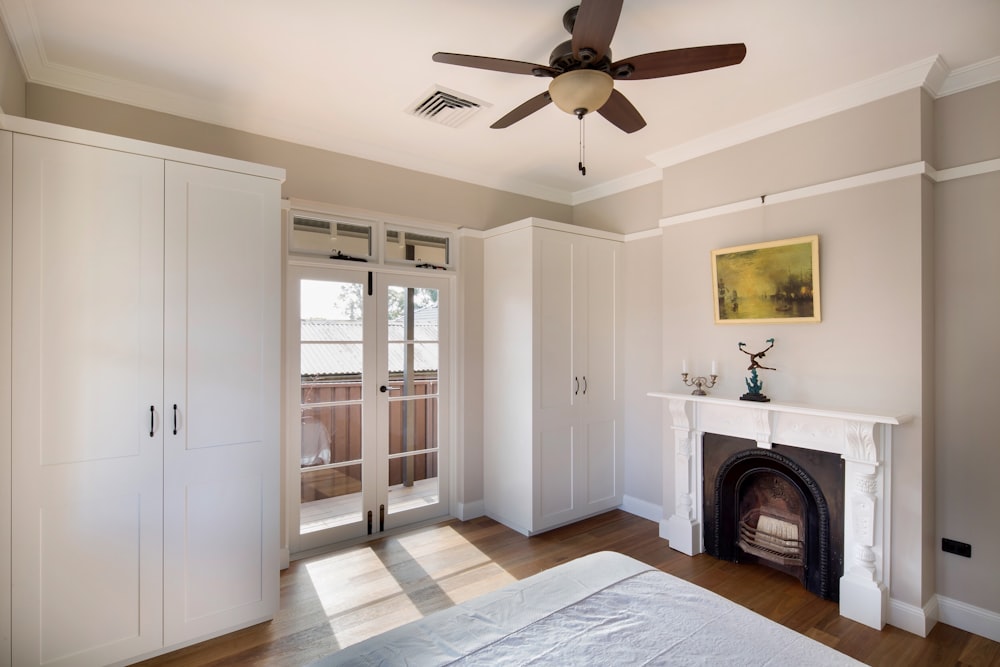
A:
[583, 73]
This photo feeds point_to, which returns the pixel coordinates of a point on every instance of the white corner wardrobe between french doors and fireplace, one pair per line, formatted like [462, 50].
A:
[553, 440]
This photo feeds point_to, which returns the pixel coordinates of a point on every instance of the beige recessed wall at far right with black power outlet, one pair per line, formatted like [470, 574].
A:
[967, 267]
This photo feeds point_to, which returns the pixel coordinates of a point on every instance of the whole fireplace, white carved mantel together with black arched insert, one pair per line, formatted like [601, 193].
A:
[857, 571]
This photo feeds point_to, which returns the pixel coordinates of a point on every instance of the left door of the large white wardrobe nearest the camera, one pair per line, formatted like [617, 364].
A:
[87, 308]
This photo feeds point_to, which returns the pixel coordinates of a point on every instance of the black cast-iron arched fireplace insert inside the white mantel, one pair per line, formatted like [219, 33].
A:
[780, 507]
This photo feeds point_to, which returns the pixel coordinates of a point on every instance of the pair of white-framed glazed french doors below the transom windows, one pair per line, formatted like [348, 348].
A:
[368, 373]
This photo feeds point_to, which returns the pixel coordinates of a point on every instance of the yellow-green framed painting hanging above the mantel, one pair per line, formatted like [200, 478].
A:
[777, 281]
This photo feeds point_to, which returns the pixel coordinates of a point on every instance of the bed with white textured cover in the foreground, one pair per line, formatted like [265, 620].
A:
[602, 609]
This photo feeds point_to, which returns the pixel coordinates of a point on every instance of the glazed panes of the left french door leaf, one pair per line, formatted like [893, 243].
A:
[332, 436]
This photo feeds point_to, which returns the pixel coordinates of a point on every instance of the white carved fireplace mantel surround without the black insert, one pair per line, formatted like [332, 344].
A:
[862, 440]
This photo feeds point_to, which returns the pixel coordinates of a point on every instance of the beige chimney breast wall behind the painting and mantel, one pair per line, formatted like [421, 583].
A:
[870, 352]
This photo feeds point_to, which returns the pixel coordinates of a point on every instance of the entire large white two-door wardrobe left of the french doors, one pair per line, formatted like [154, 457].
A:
[143, 305]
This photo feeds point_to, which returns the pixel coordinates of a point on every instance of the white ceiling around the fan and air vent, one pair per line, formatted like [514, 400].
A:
[341, 75]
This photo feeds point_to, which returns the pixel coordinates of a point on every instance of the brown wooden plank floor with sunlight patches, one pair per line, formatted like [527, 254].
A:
[334, 600]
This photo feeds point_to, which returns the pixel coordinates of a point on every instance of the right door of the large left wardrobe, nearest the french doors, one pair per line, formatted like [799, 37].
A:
[221, 461]
